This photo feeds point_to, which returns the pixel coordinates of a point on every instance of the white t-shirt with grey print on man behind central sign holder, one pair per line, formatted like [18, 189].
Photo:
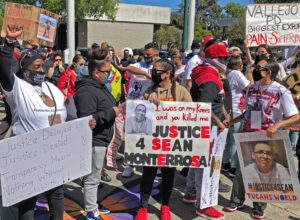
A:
[138, 86]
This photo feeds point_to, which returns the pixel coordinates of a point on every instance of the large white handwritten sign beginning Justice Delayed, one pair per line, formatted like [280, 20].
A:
[38, 161]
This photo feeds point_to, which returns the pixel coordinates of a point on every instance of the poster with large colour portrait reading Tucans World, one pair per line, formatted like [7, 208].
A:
[268, 168]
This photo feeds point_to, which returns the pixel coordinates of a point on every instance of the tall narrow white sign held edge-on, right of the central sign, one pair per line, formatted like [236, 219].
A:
[211, 175]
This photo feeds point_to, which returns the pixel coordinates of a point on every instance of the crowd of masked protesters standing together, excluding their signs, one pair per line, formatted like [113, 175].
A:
[37, 87]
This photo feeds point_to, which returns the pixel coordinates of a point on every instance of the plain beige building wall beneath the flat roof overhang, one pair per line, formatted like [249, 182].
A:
[119, 34]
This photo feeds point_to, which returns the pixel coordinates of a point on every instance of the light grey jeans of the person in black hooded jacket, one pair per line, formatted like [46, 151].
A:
[92, 180]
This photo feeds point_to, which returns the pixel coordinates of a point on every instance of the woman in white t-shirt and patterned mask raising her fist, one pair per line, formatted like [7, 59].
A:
[35, 104]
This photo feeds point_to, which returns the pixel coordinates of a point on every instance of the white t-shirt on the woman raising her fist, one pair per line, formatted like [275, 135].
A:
[29, 112]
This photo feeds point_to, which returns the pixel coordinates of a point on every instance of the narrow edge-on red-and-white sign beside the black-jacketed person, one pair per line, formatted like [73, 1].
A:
[113, 147]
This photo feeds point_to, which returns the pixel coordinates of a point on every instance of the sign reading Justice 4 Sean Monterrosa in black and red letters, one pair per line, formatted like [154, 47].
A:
[173, 134]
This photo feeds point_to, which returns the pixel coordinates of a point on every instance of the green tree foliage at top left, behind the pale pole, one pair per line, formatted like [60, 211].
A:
[83, 8]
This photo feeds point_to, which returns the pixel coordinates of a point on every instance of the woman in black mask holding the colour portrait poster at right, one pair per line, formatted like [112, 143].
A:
[274, 102]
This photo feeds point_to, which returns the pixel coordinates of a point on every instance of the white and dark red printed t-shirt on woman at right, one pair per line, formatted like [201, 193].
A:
[275, 100]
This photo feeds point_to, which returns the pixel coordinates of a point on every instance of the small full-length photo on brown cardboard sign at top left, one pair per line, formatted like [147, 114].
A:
[46, 29]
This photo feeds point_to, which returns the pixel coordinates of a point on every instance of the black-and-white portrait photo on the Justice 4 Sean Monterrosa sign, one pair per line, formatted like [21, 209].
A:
[139, 118]
